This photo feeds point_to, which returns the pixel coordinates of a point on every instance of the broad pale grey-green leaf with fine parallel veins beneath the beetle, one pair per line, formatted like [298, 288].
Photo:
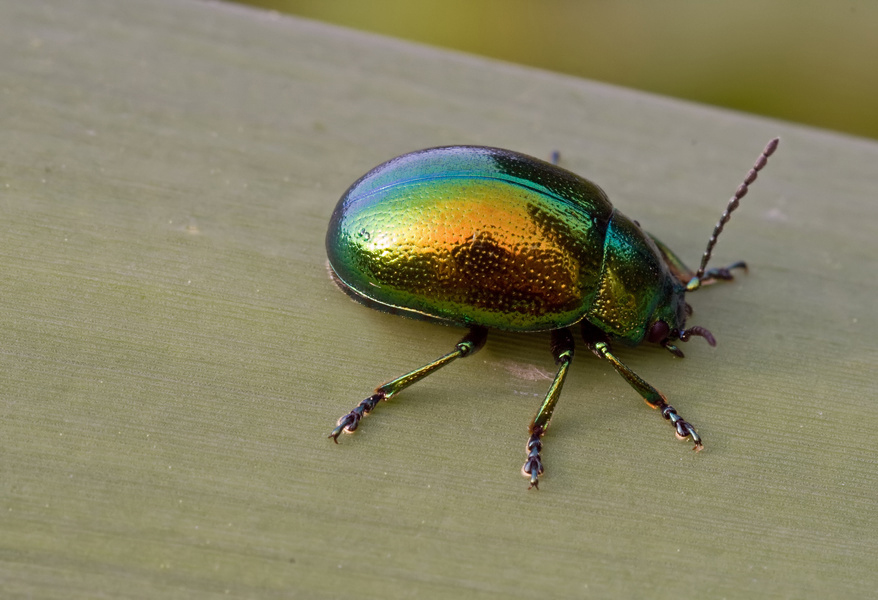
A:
[173, 353]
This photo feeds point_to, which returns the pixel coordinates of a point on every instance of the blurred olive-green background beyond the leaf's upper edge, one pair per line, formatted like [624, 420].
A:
[810, 61]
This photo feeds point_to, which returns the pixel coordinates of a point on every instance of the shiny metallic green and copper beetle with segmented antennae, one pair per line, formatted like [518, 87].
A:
[486, 238]
